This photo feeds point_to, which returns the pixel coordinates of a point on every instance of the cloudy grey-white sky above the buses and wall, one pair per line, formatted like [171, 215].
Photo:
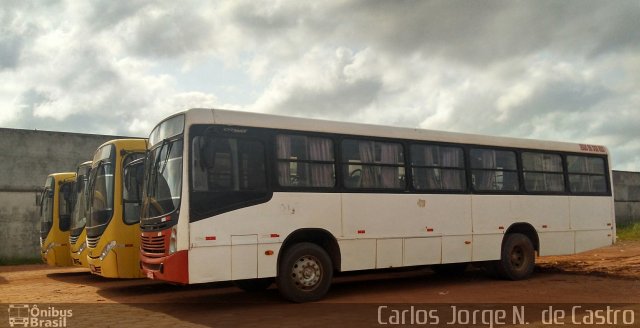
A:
[554, 70]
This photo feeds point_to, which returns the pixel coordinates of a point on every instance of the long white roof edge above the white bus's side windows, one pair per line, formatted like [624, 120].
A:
[249, 119]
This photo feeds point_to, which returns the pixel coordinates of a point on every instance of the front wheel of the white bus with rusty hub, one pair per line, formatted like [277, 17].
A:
[304, 273]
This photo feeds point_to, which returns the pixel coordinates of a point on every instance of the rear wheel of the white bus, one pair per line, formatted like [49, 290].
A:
[517, 258]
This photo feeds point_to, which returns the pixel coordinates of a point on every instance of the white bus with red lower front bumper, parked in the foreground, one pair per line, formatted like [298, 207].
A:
[255, 198]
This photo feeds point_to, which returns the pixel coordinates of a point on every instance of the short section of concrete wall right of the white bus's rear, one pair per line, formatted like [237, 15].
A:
[626, 187]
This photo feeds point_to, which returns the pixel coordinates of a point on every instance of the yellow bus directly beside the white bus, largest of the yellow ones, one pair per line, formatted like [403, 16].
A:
[113, 233]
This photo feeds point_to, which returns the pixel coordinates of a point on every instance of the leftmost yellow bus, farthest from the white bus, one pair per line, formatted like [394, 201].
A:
[55, 216]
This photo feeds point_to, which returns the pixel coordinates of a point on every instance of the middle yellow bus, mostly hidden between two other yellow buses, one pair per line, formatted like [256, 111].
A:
[77, 232]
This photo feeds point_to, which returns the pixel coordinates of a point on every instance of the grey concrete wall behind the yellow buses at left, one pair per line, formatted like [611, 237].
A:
[26, 158]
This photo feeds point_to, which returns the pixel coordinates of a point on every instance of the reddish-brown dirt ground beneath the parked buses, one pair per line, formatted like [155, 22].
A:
[604, 277]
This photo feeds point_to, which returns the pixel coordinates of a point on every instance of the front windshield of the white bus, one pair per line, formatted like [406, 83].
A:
[163, 179]
